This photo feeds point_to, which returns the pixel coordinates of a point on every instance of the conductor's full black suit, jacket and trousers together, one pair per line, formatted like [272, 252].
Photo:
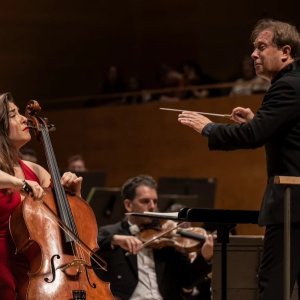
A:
[277, 126]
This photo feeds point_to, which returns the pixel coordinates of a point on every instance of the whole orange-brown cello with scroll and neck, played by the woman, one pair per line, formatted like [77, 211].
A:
[57, 235]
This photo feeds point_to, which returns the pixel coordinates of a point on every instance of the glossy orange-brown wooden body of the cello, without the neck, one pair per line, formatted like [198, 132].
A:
[54, 272]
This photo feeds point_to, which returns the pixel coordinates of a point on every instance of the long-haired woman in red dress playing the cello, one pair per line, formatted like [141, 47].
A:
[17, 179]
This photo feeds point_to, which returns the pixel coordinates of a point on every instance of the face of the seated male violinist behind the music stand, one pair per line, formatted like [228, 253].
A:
[144, 201]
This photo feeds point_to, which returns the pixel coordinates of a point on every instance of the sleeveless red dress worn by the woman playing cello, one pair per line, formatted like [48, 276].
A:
[12, 266]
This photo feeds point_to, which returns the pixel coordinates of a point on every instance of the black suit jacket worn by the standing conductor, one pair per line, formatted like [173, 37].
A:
[277, 126]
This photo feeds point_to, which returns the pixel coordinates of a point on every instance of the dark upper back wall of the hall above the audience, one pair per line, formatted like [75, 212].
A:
[53, 49]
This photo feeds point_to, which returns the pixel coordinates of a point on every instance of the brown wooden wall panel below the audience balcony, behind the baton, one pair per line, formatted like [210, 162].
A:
[129, 140]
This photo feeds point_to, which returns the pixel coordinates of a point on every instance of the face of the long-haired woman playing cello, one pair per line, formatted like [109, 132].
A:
[18, 129]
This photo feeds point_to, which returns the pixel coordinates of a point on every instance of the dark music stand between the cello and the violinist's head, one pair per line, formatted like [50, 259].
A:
[107, 204]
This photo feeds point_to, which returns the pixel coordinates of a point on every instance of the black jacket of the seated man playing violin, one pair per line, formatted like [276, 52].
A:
[173, 269]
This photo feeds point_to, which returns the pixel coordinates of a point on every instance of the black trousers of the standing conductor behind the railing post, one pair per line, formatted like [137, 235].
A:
[271, 267]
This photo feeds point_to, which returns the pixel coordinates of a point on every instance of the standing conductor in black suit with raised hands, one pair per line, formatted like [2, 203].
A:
[276, 125]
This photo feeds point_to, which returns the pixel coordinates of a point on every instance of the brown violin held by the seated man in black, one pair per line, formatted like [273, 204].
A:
[170, 234]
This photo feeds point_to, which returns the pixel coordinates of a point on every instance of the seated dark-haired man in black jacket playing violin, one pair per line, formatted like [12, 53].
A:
[141, 273]
